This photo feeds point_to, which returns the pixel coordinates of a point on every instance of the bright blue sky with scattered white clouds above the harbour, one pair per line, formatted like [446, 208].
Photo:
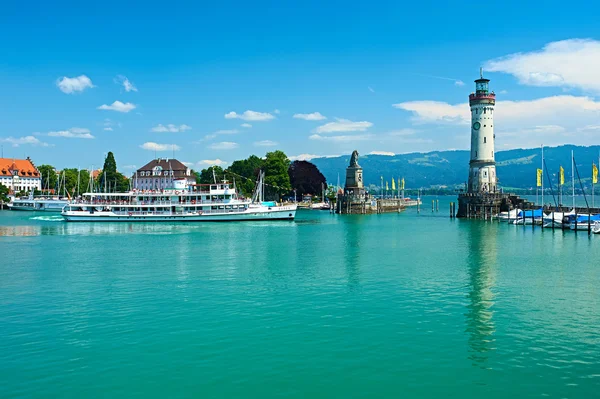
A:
[385, 77]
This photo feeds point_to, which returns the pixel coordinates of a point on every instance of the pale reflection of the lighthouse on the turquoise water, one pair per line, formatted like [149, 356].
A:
[482, 261]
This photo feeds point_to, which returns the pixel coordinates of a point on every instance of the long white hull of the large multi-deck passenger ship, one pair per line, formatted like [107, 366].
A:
[279, 213]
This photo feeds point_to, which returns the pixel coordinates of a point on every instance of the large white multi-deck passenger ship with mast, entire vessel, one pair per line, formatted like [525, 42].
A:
[195, 203]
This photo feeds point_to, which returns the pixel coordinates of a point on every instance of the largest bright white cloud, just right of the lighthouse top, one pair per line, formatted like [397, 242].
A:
[571, 63]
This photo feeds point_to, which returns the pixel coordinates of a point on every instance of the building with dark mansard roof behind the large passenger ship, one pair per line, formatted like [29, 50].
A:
[161, 173]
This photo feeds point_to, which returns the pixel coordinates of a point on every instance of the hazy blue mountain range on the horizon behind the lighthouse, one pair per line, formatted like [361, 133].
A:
[515, 168]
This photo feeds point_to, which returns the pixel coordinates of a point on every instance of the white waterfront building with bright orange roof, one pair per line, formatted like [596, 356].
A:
[19, 175]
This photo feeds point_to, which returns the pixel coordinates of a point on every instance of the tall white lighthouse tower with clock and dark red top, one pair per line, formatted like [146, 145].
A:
[482, 166]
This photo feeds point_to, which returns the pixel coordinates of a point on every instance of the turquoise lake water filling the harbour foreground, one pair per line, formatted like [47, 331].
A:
[395, 305]
